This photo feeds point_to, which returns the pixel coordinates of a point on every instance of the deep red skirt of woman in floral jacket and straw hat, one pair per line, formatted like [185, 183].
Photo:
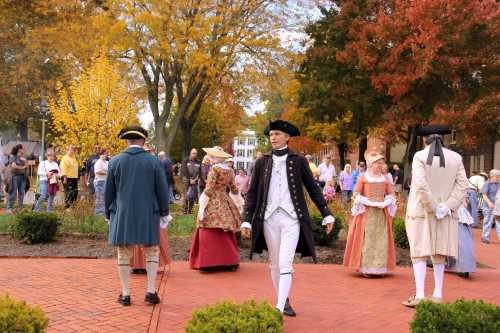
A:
[213, 247]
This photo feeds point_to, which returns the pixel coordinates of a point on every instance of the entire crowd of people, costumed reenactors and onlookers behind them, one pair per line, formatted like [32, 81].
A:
[267, 203]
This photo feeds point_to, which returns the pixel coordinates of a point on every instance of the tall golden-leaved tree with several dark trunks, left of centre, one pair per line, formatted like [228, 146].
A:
[185, 51]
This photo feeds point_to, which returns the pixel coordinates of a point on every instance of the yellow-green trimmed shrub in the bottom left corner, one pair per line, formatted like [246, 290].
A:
[18, 317]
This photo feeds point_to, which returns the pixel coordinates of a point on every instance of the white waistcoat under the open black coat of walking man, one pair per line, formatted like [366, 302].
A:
[279, 193]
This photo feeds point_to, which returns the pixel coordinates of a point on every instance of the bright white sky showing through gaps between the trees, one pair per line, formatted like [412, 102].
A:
[292, 38]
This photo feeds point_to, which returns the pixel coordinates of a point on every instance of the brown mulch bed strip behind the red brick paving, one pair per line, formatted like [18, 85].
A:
[82, 246]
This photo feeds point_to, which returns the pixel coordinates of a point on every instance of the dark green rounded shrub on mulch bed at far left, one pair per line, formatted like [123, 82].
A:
[31, 227]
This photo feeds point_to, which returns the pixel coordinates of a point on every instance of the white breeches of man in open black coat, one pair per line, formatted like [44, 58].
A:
[281, 232]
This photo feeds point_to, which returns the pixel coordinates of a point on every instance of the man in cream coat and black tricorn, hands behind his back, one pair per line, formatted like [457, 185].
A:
[438, 189]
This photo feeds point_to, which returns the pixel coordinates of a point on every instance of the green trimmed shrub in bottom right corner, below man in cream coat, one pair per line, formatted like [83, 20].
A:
[461, 316]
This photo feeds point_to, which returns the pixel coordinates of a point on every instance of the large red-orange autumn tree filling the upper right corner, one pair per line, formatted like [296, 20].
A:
[436, 59]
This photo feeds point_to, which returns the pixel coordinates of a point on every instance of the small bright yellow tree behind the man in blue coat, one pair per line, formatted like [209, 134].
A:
[93, 109]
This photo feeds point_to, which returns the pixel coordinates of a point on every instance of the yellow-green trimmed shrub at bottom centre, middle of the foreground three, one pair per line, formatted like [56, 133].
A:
[248, 317]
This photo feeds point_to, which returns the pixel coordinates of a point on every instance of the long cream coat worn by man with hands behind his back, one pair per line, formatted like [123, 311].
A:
[430, 186]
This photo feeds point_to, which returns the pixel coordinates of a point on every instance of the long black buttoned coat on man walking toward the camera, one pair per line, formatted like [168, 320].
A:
[299, 177]
